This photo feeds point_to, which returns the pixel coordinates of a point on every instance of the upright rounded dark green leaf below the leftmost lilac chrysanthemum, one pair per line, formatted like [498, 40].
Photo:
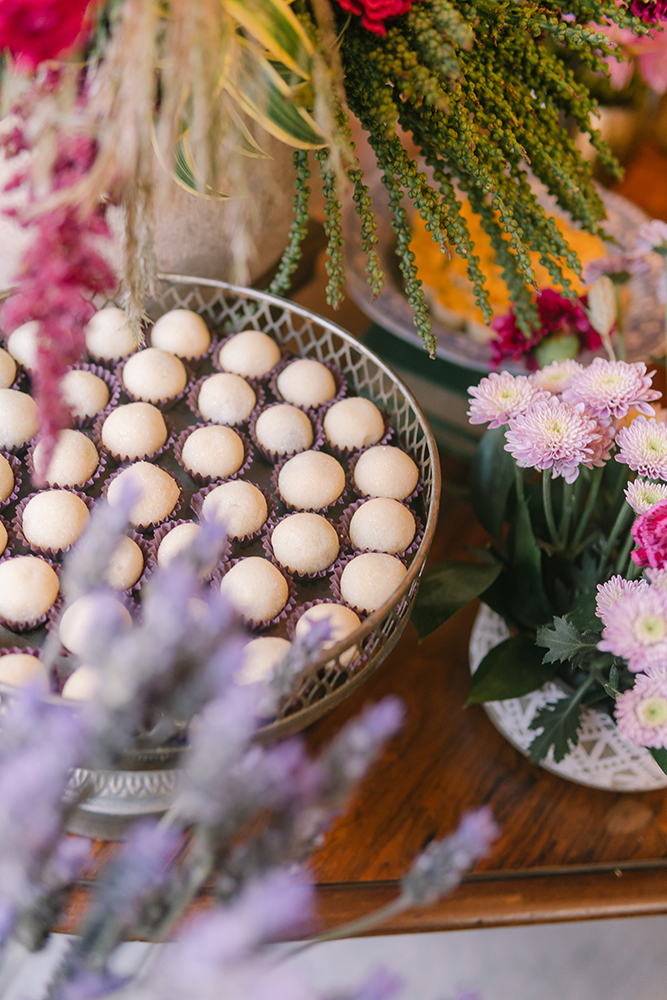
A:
[491, 479]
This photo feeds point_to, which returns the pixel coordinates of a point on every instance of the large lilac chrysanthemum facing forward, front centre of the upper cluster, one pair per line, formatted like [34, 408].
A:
[553, 435]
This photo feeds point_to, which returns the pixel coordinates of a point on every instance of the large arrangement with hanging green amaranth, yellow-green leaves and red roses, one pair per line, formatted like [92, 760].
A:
[122, 80]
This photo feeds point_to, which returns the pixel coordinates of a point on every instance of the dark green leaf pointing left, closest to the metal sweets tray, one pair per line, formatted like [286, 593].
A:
[445, 589]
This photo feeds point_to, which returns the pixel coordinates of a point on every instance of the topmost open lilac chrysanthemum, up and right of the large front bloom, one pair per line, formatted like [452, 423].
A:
[612, 388]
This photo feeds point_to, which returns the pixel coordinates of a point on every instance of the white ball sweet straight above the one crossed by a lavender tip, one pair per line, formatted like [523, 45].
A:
[305, 543]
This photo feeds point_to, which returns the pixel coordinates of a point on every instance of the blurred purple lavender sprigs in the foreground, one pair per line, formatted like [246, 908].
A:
[243, 822]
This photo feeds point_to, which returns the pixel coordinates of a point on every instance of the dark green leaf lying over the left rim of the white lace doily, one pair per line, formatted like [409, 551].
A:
[509, 670]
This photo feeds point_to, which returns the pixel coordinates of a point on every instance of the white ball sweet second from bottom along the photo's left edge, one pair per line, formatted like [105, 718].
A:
[28, 589]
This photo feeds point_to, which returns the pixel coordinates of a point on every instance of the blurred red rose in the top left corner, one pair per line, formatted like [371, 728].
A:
[35, 30]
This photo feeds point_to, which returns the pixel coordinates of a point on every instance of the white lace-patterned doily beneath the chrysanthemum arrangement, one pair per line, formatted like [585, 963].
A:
[601, 760]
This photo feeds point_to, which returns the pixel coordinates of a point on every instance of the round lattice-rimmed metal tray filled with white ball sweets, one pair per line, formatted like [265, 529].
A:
[243, 407]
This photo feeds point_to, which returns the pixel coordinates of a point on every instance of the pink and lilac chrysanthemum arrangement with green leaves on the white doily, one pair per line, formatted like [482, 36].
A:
[570, 481]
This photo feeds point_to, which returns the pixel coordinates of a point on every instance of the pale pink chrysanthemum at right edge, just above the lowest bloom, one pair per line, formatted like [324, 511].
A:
[637, 630]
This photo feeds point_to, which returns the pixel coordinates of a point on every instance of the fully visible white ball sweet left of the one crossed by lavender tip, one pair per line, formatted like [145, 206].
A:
[256, 589]
